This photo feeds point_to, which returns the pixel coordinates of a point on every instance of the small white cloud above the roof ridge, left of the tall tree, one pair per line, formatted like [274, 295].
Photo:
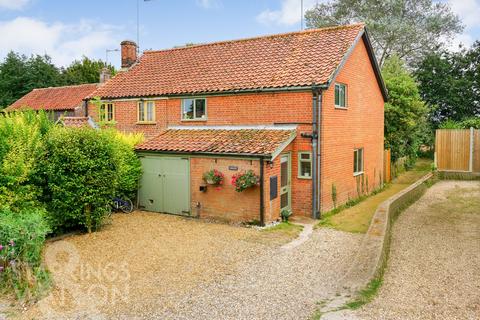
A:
[288, 14]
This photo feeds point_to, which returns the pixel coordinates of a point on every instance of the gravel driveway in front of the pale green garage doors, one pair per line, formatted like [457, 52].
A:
[153, 266]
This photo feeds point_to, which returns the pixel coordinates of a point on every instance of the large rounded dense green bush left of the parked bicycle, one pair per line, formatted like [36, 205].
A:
[81, 174]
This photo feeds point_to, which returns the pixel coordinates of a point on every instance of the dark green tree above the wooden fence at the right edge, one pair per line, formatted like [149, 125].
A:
[450, 84]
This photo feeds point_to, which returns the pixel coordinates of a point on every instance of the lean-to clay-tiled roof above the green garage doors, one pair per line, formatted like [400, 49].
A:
[220, 141]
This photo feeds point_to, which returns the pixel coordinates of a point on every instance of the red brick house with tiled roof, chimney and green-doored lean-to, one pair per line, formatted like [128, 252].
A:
[304, 111]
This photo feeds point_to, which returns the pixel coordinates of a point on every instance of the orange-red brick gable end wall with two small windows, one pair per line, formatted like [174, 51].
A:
[361, 125]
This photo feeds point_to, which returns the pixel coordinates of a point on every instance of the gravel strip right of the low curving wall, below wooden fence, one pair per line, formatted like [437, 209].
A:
[434, 266]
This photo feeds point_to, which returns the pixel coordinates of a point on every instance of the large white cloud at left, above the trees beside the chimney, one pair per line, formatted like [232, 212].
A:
[63, 42]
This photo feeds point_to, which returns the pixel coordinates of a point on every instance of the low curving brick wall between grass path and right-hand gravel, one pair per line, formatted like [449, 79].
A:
[373, 252]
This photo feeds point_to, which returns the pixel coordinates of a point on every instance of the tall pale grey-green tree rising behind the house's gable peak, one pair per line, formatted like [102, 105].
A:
[408, 29]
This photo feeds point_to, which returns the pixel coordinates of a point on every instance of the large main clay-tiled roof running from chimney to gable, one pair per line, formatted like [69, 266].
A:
[285, 60]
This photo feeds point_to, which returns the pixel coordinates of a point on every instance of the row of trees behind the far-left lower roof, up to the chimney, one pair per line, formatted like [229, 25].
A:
[19, 75]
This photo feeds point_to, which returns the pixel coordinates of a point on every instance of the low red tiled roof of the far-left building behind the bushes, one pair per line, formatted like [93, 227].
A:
[54, 98]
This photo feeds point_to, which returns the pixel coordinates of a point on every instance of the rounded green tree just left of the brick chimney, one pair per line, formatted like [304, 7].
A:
[85, 71]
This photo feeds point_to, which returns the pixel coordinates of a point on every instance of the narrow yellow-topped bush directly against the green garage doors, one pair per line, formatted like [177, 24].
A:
[129, 167]
